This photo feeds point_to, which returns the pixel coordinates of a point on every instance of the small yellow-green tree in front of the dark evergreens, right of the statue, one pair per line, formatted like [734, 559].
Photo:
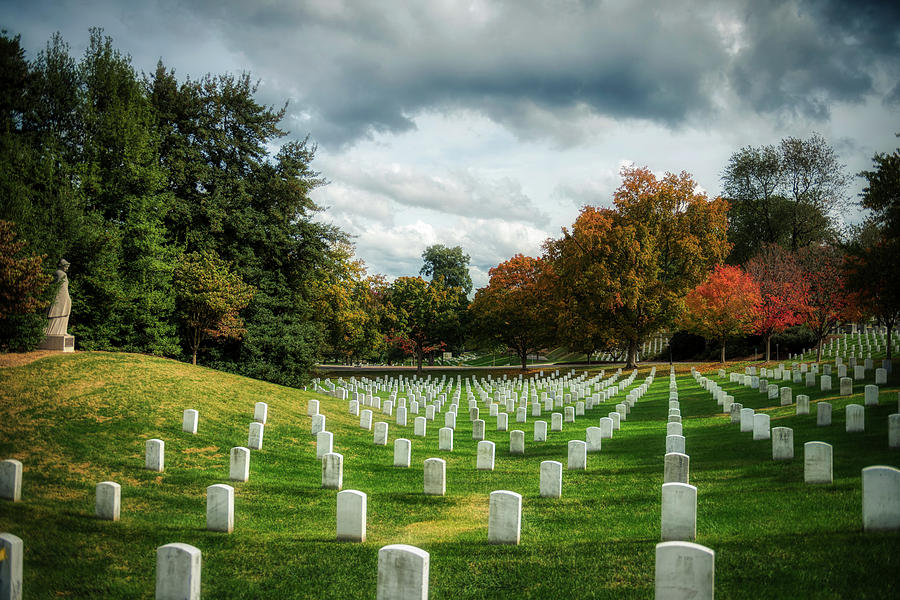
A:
[209, 299]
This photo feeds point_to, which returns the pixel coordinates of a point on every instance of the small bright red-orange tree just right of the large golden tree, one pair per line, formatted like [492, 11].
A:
[722, 306]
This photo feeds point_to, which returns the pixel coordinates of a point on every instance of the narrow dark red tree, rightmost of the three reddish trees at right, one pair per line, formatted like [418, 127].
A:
[828, 299]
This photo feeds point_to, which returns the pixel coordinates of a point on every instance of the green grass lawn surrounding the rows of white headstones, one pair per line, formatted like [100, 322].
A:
[78, 419]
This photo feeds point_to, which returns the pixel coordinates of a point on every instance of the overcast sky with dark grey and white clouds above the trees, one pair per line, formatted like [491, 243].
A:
[488, 124]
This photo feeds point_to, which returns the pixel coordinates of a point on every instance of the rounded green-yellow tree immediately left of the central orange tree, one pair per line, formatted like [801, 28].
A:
[422, 313]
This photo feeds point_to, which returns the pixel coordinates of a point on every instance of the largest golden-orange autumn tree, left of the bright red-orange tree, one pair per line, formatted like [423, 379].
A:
[628, 268]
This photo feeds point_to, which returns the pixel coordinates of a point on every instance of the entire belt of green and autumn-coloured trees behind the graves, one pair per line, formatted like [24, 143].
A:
[188, 237]
